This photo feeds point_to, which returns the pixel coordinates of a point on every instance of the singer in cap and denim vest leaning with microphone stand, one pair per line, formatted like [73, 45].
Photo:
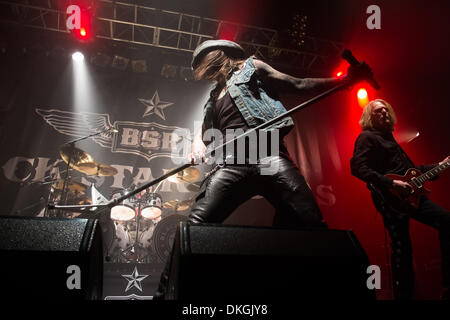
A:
[246, 95]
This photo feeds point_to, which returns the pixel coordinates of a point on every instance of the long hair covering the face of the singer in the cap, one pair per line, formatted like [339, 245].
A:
[216, 65]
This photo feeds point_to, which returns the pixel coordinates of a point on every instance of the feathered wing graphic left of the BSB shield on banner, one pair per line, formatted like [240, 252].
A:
[79, 124]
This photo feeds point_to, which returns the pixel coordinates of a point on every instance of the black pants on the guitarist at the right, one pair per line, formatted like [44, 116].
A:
[397, 225]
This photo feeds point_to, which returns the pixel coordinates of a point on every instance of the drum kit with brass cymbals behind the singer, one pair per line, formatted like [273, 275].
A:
[134, 218]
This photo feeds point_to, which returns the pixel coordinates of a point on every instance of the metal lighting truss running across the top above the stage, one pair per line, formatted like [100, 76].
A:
[148, 26]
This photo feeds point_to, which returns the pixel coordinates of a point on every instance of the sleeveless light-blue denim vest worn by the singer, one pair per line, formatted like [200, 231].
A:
[255, 105]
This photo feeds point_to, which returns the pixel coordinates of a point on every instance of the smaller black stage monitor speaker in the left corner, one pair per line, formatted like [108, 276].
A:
[51, 258]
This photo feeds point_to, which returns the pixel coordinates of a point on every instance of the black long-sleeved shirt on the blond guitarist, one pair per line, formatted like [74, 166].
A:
[377, 153]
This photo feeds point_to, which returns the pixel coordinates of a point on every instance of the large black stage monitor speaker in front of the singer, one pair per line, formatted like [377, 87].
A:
[220, 262]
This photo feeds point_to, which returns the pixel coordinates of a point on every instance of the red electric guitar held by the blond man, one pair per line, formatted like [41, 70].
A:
[410, 197]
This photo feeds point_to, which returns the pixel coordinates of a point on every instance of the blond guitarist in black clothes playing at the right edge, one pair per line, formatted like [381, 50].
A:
[376, 153]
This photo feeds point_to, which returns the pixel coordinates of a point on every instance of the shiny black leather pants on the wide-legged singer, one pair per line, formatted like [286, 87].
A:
[285, 189]
